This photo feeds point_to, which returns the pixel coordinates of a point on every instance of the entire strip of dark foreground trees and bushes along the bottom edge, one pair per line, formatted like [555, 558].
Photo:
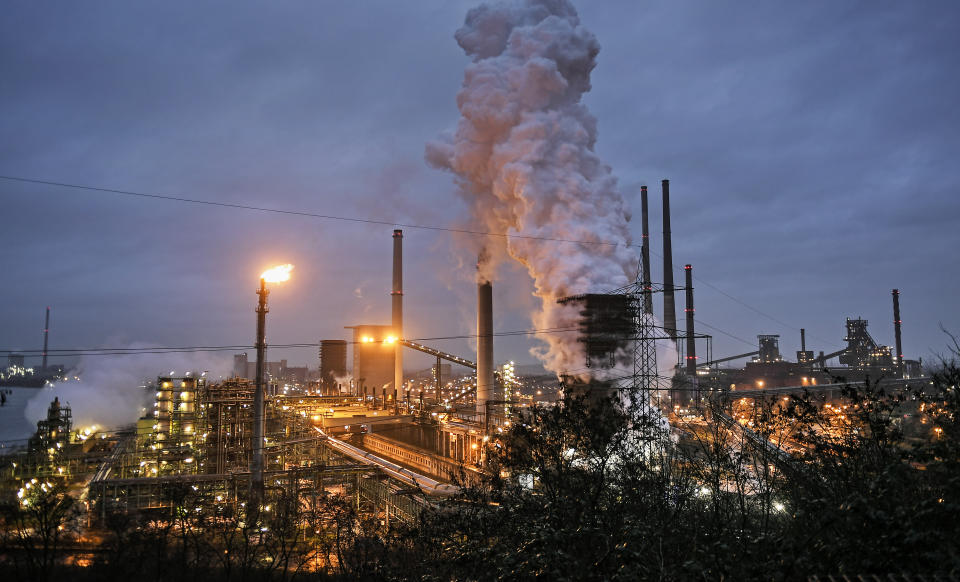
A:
[584, 492]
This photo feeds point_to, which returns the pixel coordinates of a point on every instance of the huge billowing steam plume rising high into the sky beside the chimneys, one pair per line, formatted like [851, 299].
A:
[523, 154]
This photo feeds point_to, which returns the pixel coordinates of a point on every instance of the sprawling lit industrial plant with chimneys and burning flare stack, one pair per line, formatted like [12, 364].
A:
[394, 442]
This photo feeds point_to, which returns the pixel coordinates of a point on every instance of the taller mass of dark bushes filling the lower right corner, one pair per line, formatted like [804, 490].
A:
[578, 495]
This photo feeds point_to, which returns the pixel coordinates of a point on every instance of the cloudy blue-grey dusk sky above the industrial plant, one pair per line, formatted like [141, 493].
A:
[812, 151]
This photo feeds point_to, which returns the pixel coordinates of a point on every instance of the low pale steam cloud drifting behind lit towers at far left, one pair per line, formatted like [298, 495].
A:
[108, 393]
